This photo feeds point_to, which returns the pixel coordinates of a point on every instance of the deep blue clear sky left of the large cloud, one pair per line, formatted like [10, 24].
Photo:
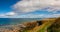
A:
[5, 5]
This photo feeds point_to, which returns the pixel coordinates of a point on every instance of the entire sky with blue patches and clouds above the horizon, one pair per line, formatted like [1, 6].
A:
[29, 8]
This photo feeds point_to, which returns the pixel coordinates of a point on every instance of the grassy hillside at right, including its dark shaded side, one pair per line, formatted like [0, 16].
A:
[51, 25]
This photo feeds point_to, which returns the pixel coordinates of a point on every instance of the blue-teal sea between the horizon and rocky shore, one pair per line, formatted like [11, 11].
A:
[13, 21]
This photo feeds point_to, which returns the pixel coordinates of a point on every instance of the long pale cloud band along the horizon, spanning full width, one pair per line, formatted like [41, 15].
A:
[29, 16]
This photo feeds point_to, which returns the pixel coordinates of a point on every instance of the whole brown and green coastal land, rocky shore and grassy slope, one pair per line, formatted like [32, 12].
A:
[52, 24]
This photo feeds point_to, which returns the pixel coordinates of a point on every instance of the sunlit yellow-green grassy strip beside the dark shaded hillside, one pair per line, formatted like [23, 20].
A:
[43, 27]
